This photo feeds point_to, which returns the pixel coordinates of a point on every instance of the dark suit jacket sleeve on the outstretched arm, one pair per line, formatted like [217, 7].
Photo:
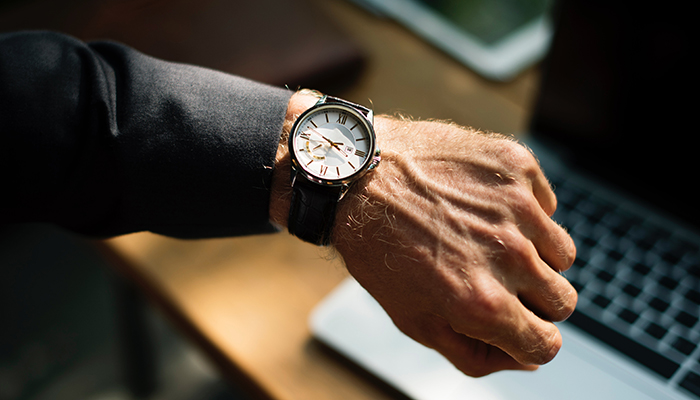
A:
[103, 140]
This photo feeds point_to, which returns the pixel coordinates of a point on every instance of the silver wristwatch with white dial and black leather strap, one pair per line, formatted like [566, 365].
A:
[332, 145]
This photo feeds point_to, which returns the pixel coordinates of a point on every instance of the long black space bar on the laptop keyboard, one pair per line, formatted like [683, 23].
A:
[638, 352]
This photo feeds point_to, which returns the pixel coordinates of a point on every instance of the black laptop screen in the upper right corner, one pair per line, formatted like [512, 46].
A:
[616, 98]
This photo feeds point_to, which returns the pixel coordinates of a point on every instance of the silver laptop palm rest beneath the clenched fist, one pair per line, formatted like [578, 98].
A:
[350, 321]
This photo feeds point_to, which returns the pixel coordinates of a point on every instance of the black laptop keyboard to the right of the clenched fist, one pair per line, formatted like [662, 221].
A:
[638, 283]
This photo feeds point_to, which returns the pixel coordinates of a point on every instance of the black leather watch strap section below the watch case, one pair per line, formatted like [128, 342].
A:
[312, 211]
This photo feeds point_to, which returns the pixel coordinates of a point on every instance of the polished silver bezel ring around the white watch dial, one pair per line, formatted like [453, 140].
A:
[298, 169]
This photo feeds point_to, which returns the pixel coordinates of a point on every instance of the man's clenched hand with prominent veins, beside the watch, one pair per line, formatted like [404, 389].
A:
[452, 235]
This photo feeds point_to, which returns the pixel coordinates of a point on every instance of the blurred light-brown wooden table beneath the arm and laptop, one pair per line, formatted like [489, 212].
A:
[245, 301]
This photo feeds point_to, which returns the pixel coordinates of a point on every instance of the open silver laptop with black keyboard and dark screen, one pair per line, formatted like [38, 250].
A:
[614, 131]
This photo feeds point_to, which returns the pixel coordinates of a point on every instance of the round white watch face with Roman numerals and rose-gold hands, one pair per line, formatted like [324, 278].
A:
[332, 143]
